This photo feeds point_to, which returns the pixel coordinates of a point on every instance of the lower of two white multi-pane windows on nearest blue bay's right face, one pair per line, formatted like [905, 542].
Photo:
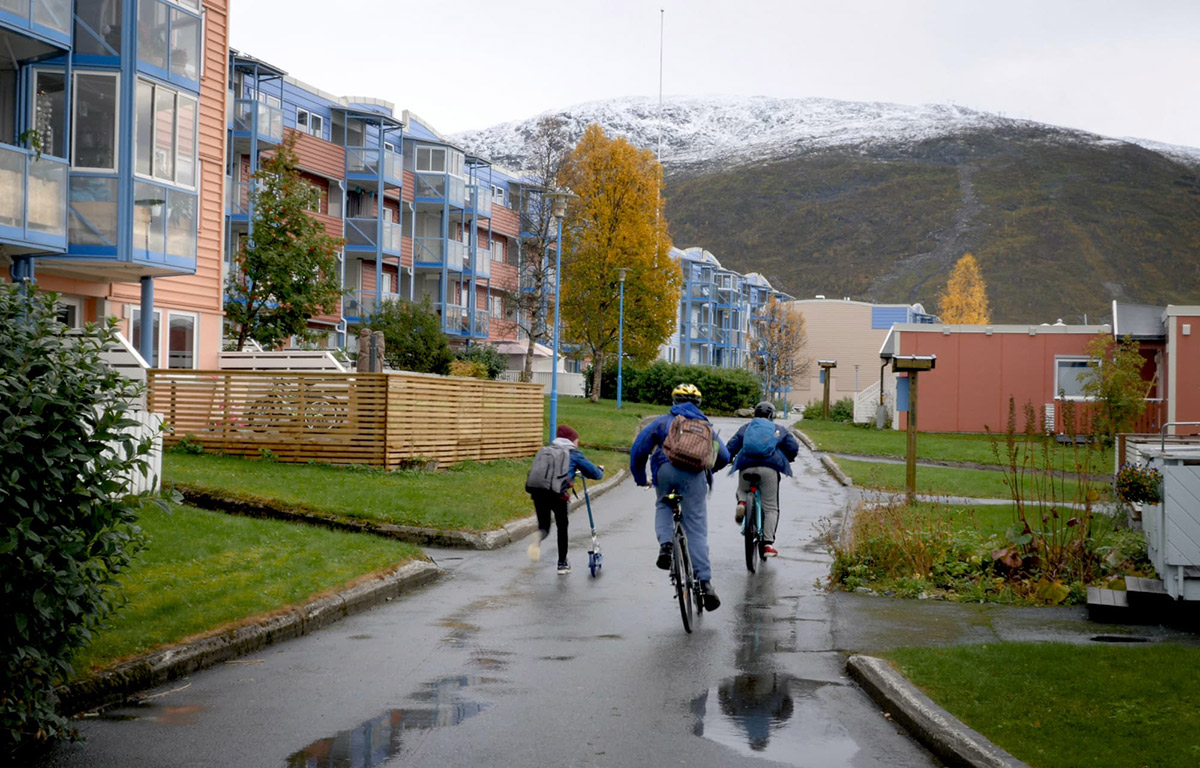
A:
[165, 146]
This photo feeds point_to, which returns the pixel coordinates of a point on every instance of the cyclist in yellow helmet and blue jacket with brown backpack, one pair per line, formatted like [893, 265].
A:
[692, 476]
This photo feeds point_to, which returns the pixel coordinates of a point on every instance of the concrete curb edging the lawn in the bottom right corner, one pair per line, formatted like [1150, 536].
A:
[937, 729]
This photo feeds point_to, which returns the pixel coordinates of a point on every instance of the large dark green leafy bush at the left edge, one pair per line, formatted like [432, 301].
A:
[67, 526]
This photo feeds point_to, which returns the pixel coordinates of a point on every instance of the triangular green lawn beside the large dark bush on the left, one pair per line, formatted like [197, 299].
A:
[203, 571]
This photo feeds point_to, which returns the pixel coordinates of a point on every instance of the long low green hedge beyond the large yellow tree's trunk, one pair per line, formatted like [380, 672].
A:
[724, 391]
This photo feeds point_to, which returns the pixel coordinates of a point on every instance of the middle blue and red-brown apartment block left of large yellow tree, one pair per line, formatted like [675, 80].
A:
[422, 219]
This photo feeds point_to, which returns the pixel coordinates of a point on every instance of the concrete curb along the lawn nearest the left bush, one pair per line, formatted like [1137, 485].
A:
[163, 667]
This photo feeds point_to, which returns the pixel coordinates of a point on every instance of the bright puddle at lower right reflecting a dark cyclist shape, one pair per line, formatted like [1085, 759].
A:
[777, 717]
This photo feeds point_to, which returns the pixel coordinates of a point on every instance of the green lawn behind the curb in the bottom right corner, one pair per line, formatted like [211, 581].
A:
[1059, 706]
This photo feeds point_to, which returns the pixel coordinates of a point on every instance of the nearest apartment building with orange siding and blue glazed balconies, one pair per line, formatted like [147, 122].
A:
[112, 148]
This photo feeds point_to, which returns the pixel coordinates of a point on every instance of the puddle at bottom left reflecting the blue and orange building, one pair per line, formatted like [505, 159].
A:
[380, 740]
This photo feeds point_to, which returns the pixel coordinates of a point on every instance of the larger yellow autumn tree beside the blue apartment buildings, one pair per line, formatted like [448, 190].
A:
[616, 223]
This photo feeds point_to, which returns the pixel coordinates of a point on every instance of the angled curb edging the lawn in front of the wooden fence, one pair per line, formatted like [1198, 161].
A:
[424, 537]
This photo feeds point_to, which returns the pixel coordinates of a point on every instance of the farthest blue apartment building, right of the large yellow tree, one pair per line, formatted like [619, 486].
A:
[719, 313]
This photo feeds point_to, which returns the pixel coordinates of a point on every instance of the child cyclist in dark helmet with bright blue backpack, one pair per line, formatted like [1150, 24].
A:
[770, 451]
